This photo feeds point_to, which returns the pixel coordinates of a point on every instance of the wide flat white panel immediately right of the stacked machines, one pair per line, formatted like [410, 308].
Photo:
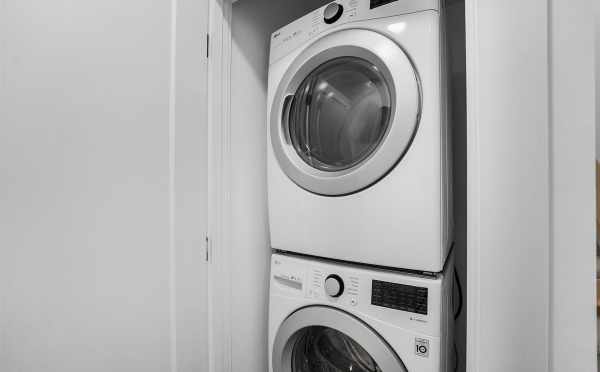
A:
[508, 185]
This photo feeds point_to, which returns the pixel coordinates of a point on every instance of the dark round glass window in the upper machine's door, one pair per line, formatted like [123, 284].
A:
[340, 114]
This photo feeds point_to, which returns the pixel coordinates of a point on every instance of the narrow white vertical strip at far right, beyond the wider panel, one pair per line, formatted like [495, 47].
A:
[573, 214]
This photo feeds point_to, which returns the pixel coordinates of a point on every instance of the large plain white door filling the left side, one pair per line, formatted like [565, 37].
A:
[102, 196]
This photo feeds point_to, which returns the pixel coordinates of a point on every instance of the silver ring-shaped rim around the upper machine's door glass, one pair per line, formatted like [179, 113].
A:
[399, 72]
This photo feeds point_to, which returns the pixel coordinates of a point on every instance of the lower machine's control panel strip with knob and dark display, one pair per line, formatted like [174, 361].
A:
[409, 301]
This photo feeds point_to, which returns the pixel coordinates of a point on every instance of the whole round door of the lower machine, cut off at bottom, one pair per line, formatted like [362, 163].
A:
[323, 339]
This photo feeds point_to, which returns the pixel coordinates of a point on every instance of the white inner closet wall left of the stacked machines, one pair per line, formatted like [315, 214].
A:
[252, 25]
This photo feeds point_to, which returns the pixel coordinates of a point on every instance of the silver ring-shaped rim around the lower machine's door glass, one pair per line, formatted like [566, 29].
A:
[287, 334]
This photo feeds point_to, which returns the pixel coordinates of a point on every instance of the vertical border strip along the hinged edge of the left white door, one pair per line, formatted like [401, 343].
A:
[190, 170]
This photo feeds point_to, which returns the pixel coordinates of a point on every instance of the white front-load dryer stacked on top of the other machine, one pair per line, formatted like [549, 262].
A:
[358, 140]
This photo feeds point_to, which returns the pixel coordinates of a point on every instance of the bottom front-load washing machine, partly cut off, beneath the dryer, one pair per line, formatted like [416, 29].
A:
[334, 317]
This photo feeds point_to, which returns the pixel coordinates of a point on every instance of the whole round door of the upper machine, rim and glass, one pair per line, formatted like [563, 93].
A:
[345, 112]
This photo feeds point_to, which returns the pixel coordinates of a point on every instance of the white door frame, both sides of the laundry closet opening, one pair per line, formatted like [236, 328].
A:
[550, 150]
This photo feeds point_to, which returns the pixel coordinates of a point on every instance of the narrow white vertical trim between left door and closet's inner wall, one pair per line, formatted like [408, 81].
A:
[219, 190]
